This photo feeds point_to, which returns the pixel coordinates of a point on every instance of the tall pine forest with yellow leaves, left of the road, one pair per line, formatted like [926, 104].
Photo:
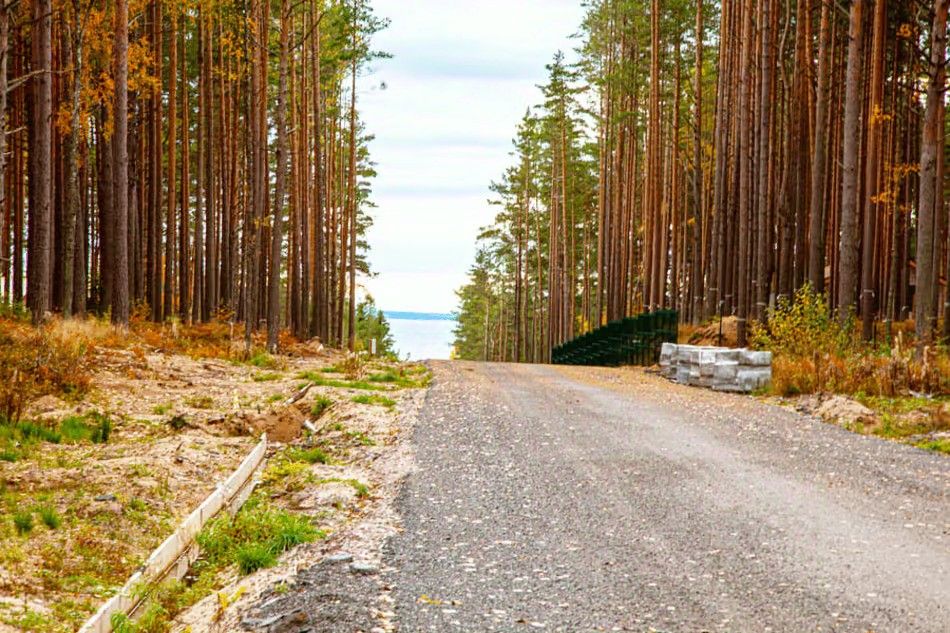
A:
[187, 159]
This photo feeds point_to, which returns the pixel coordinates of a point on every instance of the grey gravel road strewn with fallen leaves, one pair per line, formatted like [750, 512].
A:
[576, 499]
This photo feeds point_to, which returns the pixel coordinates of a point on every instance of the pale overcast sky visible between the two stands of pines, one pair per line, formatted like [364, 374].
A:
[463, 73]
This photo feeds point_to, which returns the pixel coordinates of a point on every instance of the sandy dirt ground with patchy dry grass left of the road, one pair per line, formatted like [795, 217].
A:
[179, 426]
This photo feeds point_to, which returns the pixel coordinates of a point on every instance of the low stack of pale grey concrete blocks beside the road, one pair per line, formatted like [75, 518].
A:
[719, 368]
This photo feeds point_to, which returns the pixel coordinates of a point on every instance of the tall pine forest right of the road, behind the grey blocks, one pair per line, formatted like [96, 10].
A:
[716, 158]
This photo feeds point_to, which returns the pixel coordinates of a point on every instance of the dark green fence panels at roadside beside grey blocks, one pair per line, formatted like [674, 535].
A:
[630, 341]
